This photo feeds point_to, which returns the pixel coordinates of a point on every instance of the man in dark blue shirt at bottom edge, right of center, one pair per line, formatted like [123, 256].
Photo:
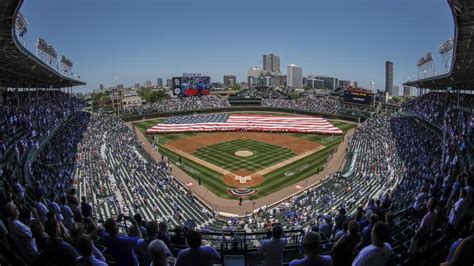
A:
[311, 246]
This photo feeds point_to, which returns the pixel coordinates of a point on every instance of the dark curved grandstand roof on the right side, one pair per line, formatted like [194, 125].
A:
[462, 69]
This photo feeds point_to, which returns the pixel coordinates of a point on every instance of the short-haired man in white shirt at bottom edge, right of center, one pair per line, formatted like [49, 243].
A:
[379, 252]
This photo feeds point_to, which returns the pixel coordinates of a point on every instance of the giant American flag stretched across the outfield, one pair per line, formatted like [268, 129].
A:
[245, 122]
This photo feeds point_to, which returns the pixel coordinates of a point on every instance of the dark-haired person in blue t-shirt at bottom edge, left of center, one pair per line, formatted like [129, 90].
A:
[197, 255]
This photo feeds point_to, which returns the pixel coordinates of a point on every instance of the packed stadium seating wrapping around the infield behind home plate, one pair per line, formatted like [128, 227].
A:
[400, 163]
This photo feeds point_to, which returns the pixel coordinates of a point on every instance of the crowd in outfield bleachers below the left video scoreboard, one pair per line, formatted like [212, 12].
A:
[178, 105]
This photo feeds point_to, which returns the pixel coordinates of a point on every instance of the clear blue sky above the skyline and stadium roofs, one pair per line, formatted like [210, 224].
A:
[139, 40]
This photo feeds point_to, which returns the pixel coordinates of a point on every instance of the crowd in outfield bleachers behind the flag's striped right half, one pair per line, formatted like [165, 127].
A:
[308, 104]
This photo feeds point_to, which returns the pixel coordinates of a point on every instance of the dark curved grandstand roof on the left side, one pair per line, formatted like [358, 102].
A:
[18, 66]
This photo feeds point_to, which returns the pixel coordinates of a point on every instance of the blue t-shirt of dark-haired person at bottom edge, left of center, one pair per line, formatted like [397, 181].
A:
[203, 256]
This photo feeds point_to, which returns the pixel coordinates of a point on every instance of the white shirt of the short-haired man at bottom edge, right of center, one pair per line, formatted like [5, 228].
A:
[372, 255]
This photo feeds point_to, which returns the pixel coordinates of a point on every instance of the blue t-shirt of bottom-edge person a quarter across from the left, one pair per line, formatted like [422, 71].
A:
[122, 248]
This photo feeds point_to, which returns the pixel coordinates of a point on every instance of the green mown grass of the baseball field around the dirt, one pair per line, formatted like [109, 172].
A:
[222, 155]
